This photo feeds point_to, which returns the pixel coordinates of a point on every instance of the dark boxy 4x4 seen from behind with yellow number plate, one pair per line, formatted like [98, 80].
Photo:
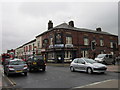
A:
[36, 63]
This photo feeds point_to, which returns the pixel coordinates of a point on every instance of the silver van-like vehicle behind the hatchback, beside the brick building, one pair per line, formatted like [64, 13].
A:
[105, 59]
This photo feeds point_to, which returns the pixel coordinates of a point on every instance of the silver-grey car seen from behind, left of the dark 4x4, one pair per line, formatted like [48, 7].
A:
[15, 66]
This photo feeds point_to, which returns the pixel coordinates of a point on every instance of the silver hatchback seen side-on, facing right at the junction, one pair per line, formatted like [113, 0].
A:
[87, 65]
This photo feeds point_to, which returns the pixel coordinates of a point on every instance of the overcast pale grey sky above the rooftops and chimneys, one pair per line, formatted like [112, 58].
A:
[22, 21]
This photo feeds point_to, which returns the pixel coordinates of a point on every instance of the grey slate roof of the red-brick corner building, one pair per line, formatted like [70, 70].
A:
[66, 26]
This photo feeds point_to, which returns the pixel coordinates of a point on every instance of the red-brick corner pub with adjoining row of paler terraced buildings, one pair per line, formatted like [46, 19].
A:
[65, 42]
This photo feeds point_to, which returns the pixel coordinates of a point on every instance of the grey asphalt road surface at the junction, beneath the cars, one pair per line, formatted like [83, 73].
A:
[59, 77]
